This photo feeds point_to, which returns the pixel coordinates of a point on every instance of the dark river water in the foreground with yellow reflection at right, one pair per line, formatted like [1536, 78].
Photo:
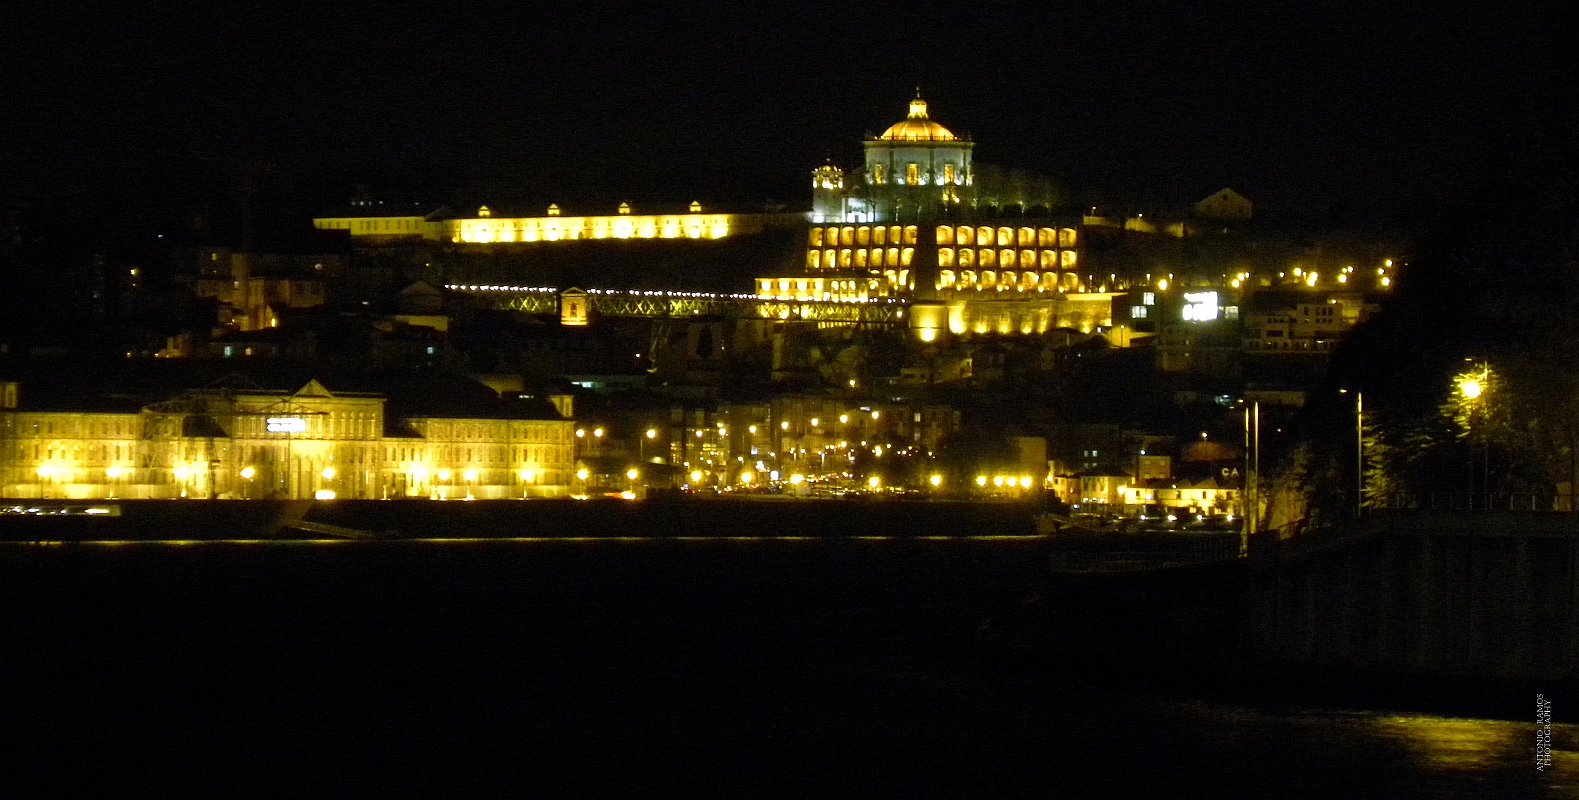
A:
[640, 668]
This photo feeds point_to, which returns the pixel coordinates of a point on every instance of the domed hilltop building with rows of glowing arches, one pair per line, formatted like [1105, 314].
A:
[909, 226]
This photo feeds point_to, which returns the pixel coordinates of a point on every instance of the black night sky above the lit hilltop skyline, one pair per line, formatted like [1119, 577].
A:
[1341, 105]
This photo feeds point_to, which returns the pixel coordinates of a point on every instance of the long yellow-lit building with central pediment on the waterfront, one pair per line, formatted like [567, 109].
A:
[255, 444]
